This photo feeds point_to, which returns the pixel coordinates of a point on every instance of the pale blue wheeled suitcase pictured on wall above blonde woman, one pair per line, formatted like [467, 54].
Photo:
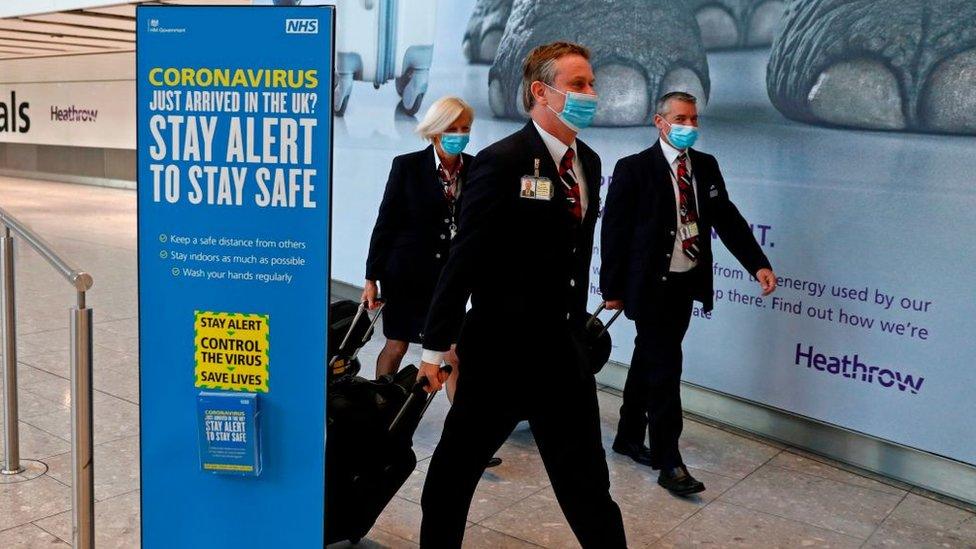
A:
[382, 40]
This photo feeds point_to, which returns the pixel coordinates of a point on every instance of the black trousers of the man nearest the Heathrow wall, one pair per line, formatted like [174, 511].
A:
[652, 393]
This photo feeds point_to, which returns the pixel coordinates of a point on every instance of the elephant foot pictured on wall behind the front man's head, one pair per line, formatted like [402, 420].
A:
[640, 50]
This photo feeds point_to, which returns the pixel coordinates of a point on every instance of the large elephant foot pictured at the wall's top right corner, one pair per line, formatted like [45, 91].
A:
[878, 64]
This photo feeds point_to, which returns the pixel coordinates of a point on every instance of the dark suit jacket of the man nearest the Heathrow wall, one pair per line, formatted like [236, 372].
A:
[639, 224]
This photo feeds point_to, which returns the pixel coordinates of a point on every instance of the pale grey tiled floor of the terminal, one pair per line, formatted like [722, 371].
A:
[760, 494]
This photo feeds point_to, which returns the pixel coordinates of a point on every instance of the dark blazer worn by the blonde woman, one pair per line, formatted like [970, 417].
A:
[411, 237]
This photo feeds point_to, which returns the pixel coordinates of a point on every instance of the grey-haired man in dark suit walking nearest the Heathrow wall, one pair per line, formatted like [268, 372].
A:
[656, 259]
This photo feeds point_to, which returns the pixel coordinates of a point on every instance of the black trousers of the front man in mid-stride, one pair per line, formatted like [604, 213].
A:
[557, 395]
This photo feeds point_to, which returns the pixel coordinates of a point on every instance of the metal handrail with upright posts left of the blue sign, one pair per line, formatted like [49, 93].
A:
[80, 322]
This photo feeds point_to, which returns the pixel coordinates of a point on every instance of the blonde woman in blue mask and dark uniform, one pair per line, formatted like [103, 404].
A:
[414, 228]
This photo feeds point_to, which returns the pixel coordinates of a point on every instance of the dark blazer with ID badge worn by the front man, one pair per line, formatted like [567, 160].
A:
[524, 262]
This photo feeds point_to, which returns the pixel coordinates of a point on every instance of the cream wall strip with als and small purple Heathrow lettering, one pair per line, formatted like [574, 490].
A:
[69, 118]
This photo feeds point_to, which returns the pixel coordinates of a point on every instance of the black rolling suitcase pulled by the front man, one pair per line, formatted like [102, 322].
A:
[369, 449]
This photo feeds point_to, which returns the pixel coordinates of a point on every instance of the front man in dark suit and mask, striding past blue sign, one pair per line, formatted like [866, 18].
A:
[519, 348]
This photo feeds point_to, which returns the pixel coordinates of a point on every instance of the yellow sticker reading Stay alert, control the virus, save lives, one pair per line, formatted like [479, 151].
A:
[231, 351]
